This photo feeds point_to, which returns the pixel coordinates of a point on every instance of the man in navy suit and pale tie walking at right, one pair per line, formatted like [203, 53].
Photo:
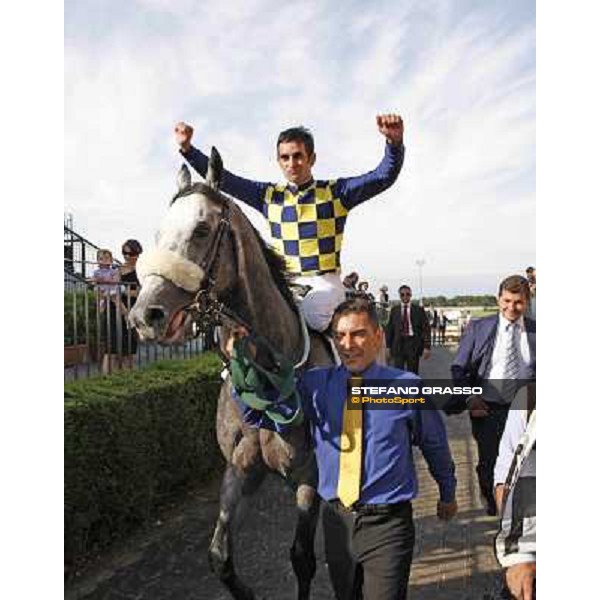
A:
[496, 353]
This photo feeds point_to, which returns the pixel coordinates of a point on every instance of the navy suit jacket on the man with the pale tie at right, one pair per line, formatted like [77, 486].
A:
[474, 356]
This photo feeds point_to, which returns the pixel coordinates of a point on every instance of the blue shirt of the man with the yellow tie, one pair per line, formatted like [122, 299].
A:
[388, 471]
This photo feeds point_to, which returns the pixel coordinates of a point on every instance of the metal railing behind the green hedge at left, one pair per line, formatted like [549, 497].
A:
[97, 337]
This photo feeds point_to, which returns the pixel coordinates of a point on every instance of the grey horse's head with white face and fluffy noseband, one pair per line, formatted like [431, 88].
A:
[192, 245]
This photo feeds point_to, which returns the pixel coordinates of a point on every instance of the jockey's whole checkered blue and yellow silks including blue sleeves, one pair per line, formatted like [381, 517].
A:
[307, 223]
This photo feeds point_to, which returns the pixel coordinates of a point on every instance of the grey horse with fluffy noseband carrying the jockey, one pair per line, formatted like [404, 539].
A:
[208, 256]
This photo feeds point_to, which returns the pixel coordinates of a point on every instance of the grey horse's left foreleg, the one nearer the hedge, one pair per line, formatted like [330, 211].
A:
[236, 483]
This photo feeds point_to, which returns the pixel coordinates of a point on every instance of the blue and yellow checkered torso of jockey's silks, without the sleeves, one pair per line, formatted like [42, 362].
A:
[307, 226]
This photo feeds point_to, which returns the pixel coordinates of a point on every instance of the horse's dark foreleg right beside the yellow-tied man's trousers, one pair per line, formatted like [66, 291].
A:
[302, 552]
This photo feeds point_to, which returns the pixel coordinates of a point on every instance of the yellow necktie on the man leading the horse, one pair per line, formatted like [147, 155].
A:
[351, 452]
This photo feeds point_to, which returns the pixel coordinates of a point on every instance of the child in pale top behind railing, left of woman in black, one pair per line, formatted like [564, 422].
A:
[110, 304]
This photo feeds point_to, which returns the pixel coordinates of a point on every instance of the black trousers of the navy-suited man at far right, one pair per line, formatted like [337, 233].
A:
[487, 432]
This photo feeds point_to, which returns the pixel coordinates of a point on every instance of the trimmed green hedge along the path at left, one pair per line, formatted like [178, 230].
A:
[132, 441]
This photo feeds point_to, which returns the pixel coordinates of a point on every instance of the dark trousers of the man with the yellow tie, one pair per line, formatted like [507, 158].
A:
[369, 555]
